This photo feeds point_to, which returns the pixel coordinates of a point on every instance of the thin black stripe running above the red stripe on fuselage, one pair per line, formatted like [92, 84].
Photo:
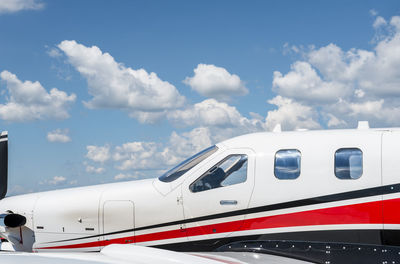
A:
[388, 189]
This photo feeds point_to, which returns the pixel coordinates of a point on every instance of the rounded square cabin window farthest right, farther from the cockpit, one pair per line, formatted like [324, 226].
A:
[348, 163]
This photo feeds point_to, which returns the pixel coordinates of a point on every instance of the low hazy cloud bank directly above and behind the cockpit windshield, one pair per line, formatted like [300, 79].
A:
[141, 156]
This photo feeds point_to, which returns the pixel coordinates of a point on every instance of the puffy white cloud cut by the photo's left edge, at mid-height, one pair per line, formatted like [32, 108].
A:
[28, 101]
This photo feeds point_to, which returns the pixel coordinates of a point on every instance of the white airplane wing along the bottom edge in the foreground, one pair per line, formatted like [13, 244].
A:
[124, 254]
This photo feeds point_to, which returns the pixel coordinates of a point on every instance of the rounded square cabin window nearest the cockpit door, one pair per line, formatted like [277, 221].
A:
[287, 164]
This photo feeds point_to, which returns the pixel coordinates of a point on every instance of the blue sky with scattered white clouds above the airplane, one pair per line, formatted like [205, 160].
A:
[102, 91]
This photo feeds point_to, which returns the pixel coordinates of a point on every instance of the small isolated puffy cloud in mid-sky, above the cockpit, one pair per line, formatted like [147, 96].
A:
[216, 82]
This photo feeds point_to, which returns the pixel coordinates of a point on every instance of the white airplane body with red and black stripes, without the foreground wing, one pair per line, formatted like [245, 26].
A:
[313, 195]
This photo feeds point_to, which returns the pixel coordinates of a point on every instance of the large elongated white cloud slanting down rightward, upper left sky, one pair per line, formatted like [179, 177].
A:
[116, 86]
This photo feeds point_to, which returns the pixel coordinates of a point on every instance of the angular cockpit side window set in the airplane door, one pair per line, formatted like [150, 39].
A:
[232, 170]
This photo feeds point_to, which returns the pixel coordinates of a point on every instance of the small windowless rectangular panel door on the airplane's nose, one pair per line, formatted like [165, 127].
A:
[118, 216]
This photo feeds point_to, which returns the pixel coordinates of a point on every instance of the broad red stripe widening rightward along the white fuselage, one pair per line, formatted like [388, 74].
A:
[365, 213]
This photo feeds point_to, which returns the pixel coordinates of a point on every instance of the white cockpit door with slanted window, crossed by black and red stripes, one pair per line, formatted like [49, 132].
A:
[216, 191]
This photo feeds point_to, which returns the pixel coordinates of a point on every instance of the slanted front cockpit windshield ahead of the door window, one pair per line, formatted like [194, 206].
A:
[186, 165]
